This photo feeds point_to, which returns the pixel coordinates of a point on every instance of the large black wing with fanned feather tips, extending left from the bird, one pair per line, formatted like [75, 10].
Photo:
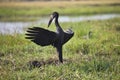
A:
[41, 36]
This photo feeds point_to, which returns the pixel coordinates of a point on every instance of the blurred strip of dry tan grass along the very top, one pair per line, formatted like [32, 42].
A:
[57, 3]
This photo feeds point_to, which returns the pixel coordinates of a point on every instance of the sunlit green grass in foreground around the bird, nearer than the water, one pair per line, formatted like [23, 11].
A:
[96, 58]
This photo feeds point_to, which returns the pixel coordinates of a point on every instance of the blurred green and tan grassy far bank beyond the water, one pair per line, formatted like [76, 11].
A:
[24, 11]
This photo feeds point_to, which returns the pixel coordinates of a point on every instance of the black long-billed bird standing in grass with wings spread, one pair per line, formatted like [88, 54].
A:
[45, 37]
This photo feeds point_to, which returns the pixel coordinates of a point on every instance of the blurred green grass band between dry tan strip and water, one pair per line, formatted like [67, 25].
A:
[74, 10]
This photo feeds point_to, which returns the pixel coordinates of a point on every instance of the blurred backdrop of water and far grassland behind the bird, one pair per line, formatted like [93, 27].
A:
[29, 12]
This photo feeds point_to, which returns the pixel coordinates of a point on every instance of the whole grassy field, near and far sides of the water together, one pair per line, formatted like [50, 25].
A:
[94, 57]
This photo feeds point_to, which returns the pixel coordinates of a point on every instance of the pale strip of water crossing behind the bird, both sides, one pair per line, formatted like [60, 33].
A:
[18, 27]
